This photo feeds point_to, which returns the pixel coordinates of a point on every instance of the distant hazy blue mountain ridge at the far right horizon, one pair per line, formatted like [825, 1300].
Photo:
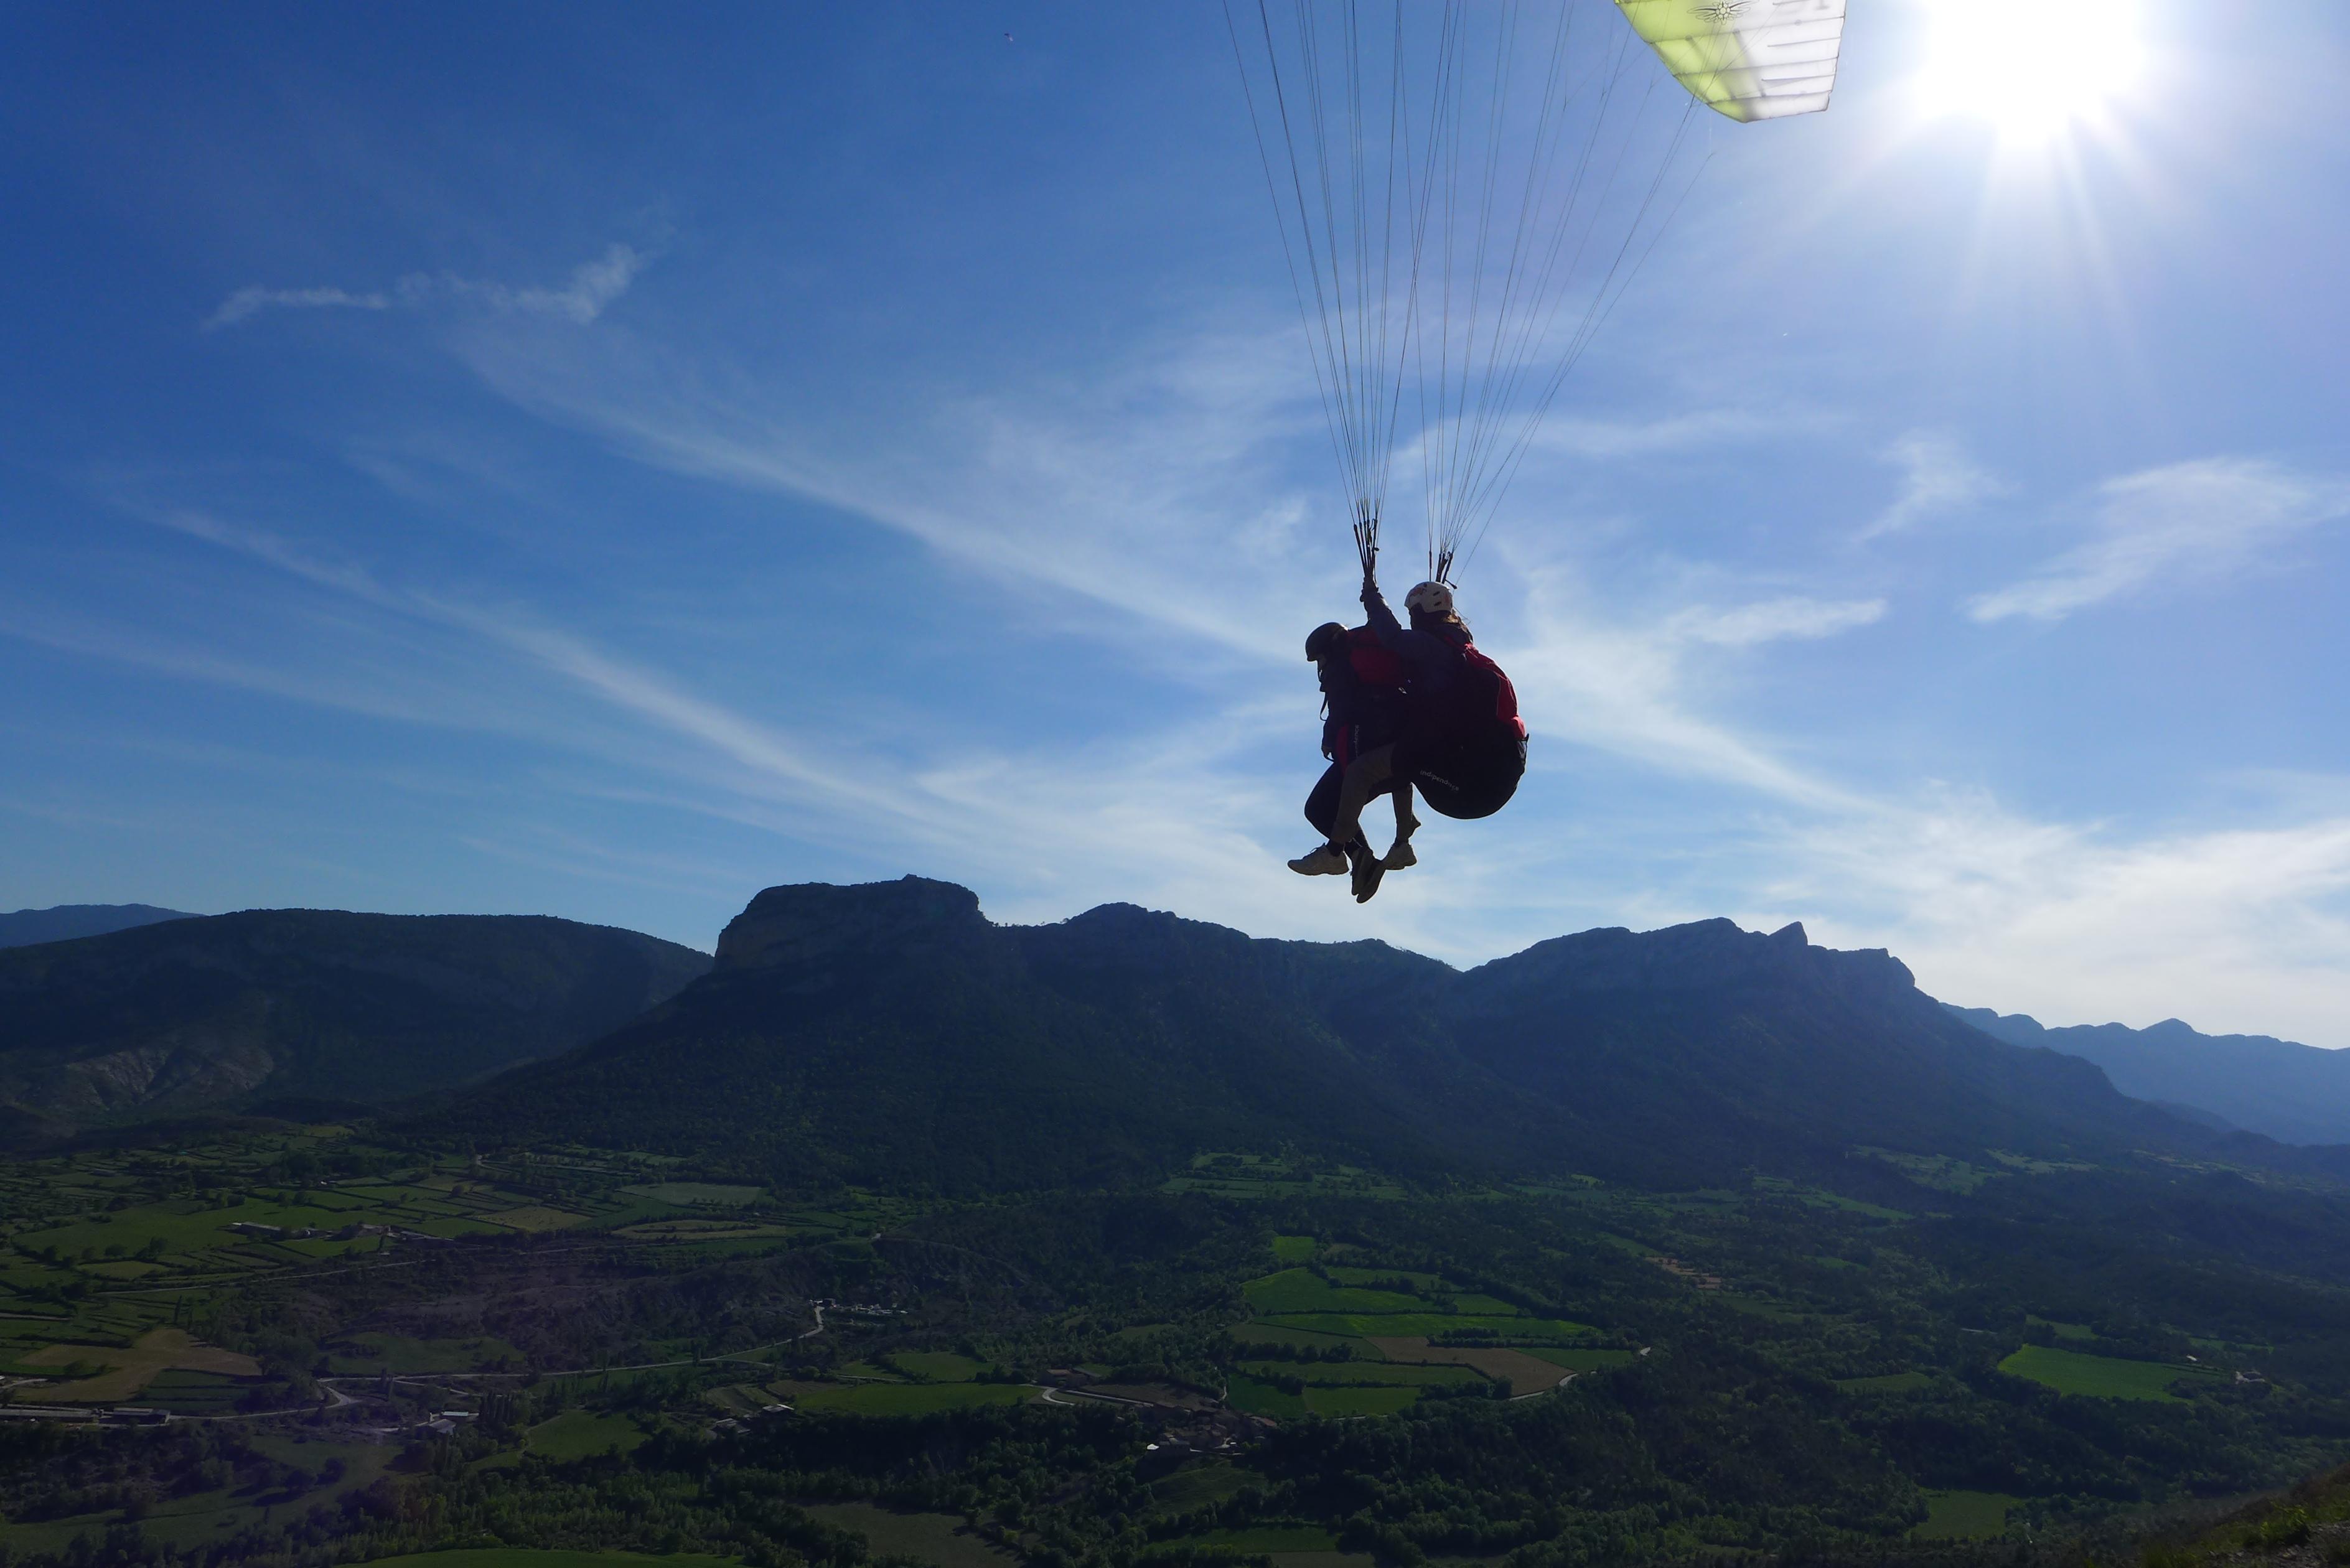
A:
[2262, 1085]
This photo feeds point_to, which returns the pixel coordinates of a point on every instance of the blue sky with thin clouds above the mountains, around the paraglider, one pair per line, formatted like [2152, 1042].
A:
[605, 462]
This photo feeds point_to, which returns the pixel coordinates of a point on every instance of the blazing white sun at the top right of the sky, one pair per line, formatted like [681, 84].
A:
[2034, 69]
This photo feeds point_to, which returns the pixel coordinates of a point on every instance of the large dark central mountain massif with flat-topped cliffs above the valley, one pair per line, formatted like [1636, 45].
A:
[892, 1036]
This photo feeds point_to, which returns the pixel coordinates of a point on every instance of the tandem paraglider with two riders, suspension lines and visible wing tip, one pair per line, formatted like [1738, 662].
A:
[1465, 196]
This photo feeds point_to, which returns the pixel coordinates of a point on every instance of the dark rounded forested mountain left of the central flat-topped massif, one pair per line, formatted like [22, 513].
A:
[231, 1012]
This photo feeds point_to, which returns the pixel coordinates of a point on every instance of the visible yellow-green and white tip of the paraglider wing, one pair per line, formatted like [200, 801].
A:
[1752, 60]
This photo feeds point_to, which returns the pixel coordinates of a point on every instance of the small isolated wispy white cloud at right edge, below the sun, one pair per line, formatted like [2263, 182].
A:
[2173, 523]
